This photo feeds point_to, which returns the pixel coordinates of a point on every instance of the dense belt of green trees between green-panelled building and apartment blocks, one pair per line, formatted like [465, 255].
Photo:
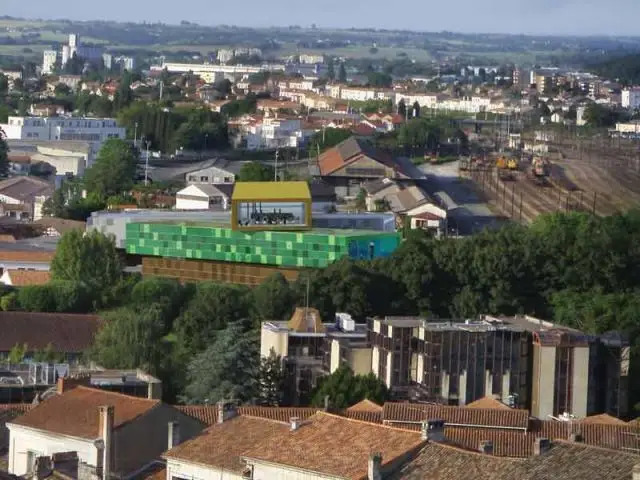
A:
[577, 269]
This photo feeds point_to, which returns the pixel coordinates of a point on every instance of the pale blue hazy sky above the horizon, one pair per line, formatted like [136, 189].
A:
[570, 17]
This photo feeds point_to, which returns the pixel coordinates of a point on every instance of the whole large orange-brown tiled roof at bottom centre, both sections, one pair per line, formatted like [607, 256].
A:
[311, 447]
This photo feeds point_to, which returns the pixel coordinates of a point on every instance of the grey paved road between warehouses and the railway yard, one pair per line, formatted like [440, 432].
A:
[467, 212]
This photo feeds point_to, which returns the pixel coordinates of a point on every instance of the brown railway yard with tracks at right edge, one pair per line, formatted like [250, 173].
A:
[577, 178]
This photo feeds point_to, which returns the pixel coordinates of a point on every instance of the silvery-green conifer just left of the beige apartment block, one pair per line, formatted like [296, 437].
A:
[227, 369]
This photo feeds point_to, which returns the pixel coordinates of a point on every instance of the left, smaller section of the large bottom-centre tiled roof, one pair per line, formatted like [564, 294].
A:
[223, 444]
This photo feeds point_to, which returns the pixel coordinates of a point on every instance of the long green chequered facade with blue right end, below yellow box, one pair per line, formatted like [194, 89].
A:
[316, 248]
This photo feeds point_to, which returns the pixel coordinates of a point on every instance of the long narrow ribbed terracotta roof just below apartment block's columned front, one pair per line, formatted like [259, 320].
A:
[456, 416]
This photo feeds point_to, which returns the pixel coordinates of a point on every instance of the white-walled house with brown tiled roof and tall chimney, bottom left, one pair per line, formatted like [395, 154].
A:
[111, 434]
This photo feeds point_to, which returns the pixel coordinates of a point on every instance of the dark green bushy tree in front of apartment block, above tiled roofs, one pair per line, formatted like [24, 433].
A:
[344, 388]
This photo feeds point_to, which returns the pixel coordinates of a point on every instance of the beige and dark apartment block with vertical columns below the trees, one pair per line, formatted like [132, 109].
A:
[522, 361]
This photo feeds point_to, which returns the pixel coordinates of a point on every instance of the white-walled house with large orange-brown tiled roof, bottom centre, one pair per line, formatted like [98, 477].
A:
[324, 446]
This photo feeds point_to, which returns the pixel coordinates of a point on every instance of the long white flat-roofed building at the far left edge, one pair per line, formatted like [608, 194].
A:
[86, 129]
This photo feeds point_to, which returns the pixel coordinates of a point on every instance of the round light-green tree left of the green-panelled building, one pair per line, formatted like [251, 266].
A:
[88, 258]
